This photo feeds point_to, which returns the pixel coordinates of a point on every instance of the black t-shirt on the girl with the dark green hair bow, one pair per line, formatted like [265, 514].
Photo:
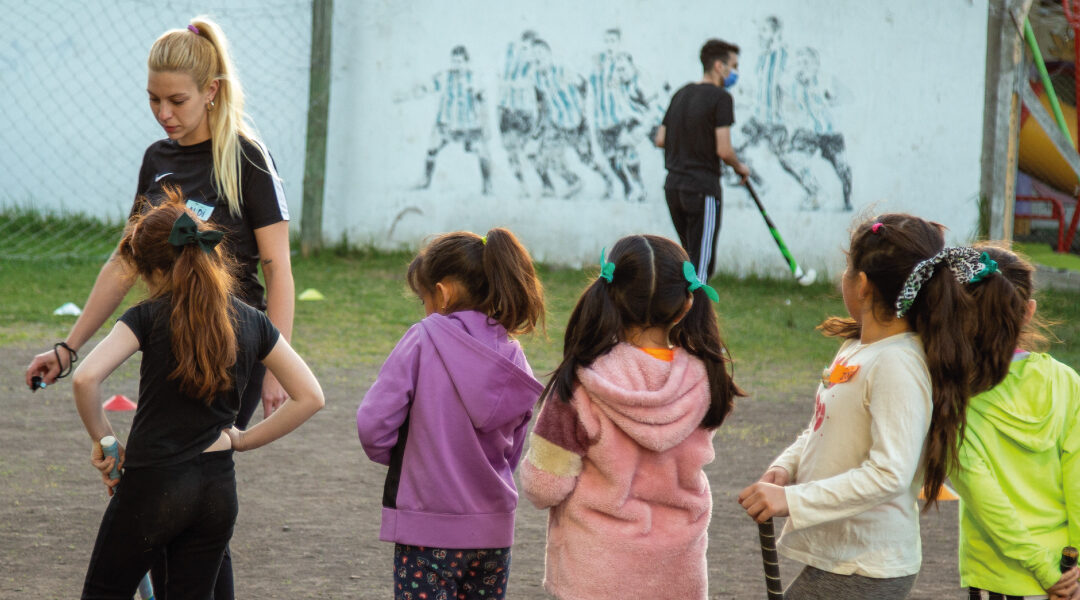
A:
[170, 427]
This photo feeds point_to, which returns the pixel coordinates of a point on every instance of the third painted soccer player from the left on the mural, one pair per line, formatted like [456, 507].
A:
[562, 124]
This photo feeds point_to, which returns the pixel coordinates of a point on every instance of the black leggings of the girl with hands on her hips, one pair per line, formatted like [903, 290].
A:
[187, 510]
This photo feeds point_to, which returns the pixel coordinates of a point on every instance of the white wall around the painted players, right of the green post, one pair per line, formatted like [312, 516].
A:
[901, 83]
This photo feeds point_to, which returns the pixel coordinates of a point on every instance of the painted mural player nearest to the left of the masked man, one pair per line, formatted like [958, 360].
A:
[620, 110]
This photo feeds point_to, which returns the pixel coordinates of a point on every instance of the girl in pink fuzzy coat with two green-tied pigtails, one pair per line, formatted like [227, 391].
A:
[626, 428]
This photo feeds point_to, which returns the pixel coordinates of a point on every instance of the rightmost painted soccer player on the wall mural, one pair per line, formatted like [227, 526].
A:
[813, 125]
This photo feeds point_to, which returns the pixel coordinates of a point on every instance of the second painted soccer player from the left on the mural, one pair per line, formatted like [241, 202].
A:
[519, 110]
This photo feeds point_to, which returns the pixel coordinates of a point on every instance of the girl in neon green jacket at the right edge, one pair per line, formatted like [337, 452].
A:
[1019, 475]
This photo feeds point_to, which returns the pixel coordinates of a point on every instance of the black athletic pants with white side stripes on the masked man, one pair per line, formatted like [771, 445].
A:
[697, 220]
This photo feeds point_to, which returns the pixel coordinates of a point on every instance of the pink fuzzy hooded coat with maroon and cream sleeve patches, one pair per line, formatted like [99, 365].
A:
[622, 469]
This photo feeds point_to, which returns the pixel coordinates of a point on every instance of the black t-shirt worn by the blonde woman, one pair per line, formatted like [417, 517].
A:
[192, 168]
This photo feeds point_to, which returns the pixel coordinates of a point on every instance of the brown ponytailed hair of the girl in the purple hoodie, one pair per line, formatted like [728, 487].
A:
[496, 274]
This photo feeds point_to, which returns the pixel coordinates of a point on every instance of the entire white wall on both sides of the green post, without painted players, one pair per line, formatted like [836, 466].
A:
[901, 83]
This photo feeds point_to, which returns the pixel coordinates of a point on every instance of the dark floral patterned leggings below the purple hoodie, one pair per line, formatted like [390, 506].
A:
[426, 574]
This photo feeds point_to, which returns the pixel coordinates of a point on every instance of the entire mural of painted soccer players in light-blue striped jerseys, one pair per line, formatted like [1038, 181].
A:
[553, 118]
